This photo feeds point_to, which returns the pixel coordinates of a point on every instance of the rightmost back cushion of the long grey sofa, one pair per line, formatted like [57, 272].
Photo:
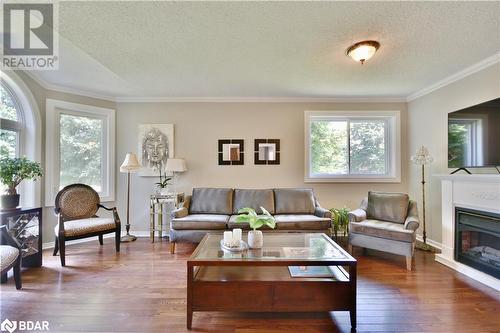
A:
[294, 201]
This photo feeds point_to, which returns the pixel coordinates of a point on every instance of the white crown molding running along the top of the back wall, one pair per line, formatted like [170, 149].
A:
[343, 99]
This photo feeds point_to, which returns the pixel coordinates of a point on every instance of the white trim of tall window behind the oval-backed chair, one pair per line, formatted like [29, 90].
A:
[54, 108]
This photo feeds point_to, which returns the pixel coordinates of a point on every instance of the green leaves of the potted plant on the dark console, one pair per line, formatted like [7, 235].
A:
[15, 170]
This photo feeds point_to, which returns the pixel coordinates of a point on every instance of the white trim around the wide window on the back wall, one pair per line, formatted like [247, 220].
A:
[394, 145]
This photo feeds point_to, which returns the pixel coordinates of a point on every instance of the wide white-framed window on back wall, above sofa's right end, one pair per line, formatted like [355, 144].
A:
[352, 146]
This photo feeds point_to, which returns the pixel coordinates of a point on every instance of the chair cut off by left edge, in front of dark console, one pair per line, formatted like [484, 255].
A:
[10, 252]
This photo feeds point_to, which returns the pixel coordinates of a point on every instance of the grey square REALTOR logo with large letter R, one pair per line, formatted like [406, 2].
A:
[29, 40]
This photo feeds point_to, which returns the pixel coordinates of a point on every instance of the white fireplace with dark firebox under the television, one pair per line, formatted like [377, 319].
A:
[470, 194]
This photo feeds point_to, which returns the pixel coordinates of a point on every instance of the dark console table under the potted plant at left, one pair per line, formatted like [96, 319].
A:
[25, 225]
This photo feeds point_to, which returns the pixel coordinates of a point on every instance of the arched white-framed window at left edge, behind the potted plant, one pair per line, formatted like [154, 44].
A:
[20, 129]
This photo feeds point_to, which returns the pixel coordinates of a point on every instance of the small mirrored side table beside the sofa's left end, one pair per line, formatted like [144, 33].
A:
[157, 202]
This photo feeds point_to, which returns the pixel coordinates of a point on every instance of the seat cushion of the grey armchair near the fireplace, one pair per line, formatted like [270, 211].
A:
[383, 229]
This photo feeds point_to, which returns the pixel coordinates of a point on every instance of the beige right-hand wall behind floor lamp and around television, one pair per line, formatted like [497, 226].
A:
[427, 125]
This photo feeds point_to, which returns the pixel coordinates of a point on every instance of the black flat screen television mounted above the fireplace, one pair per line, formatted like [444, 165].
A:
[474, 136]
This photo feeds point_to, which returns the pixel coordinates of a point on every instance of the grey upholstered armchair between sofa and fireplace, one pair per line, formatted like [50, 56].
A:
[385, 222]
